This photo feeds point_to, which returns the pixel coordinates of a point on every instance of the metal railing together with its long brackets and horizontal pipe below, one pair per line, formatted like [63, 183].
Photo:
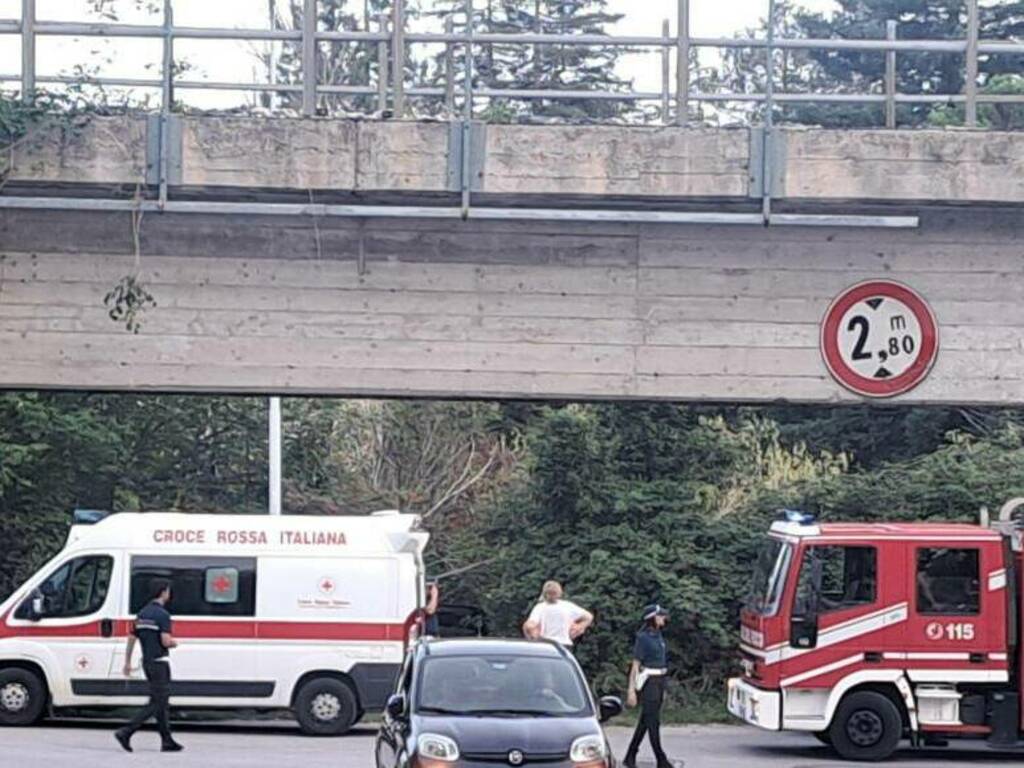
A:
[392, 93]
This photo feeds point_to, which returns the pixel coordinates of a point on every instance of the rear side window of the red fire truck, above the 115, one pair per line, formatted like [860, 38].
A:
[949, 581]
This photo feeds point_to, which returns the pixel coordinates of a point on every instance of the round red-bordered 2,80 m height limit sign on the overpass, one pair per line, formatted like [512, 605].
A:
[880, 339]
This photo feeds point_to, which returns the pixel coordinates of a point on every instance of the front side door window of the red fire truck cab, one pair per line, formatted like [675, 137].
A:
[849, 578]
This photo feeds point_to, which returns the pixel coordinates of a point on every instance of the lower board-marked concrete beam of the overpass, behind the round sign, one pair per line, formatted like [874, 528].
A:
[511, 311]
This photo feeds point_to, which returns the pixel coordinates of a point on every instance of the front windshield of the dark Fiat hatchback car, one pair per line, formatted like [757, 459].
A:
[501, 687]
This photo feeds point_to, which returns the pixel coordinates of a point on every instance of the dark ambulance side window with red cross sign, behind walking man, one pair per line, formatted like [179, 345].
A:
[200, 586]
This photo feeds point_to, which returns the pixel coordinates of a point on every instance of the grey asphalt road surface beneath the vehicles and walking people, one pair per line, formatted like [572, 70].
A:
[90, 745]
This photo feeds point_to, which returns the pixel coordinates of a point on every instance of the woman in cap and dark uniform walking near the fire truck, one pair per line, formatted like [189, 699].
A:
[648, 675]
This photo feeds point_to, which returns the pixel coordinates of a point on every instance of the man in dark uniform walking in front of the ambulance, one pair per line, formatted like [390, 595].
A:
[153, 630]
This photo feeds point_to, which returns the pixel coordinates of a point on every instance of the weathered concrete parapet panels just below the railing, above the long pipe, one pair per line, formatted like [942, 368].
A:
[615, 161]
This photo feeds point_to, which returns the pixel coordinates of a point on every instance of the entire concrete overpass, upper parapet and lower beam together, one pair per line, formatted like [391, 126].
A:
[402, 259]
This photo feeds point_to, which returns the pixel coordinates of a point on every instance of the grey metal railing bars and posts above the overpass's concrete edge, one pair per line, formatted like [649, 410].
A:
[392, 92]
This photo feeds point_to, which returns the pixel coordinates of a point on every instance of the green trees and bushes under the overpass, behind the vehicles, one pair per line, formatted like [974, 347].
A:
[624, 503]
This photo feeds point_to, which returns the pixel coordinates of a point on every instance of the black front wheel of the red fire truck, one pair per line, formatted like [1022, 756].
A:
[867, 727]
